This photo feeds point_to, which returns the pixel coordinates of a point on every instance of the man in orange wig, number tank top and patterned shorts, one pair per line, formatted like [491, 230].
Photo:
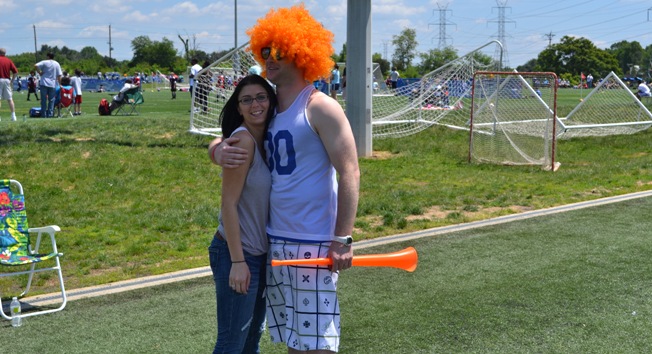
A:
[308, 144]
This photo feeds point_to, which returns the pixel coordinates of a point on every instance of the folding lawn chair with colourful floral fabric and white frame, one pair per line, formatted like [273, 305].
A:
[15, 247]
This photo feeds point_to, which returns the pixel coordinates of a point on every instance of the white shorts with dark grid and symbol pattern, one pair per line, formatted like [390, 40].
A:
[302, 306]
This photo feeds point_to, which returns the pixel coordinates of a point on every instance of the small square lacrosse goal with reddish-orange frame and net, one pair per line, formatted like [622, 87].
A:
[513, 118]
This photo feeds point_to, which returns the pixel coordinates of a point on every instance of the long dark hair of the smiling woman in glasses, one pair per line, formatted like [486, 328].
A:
[231, 118]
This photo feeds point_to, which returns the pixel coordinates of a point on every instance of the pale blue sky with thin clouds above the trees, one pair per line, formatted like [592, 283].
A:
[528, 24]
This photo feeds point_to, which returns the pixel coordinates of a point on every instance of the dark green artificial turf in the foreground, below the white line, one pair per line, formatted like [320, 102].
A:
[575, 282]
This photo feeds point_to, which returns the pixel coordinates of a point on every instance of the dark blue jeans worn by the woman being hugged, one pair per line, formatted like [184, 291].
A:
[240, 317]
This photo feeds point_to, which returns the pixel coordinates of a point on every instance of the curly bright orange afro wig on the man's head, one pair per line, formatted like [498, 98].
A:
[298, 37]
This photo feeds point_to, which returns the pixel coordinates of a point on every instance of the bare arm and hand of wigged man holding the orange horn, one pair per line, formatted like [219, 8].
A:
[334, 130]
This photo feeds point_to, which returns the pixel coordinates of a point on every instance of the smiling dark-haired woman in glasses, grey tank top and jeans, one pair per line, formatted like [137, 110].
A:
[238, 252]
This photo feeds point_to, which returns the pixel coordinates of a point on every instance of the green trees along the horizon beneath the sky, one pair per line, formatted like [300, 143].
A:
[568, 58]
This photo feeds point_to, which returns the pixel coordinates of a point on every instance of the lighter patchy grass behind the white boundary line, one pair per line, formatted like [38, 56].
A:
[136, 196]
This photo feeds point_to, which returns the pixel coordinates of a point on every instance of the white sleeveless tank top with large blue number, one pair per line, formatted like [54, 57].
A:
[303, 201]
